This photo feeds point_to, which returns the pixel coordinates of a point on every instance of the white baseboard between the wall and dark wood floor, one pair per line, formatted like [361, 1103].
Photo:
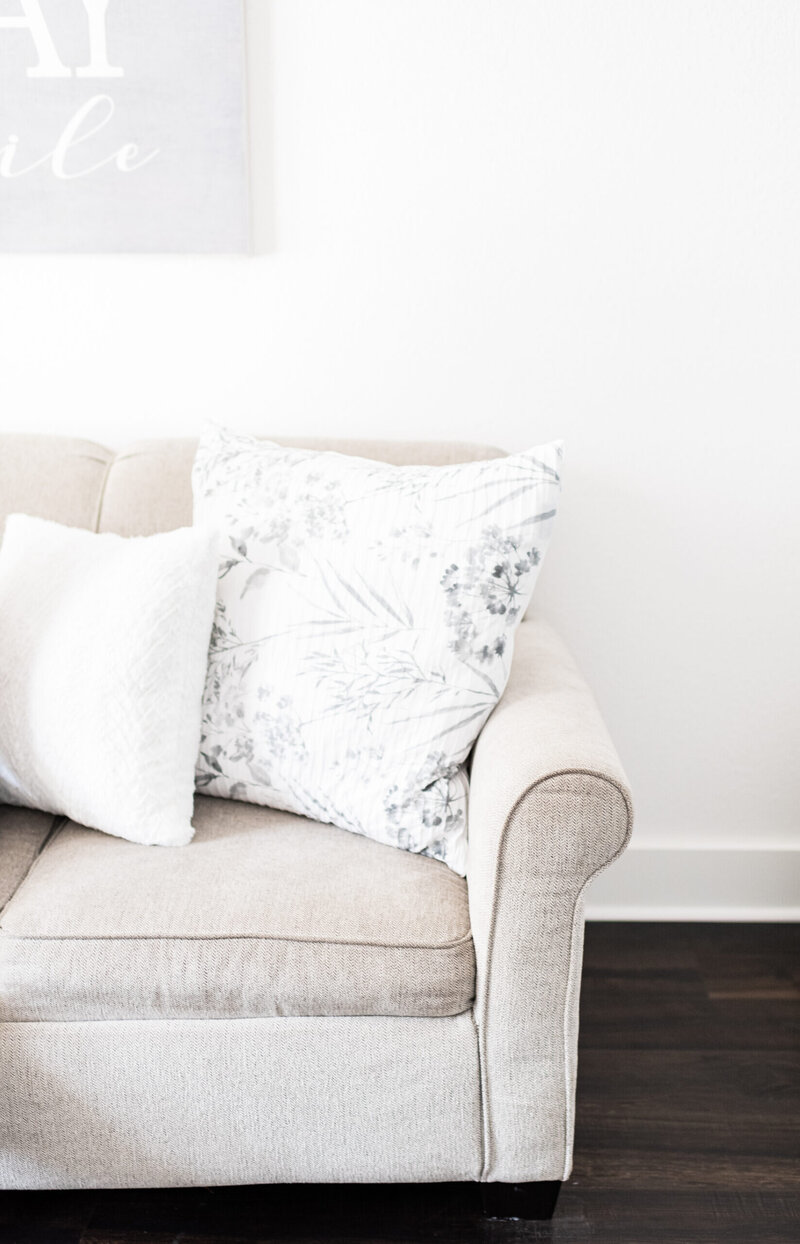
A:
[689, 885]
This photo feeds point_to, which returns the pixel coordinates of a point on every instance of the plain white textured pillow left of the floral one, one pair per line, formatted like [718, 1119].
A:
[104, 648]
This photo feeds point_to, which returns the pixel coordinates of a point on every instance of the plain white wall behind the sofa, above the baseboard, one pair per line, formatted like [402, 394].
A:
[508, 221]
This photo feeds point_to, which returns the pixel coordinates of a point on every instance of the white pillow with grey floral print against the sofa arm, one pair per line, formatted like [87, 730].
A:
[364, 629]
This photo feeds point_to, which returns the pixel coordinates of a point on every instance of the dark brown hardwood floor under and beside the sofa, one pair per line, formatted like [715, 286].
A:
[689, 1124]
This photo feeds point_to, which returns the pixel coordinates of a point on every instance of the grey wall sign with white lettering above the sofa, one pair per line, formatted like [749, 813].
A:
[123, 126]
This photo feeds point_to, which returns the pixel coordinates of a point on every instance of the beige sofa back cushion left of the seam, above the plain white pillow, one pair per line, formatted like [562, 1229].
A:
[58, 478]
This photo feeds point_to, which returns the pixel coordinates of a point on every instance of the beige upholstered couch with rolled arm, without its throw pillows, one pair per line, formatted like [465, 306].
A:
[284, 1002]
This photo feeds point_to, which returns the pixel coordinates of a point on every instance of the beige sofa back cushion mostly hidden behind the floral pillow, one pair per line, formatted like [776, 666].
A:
[150, 482]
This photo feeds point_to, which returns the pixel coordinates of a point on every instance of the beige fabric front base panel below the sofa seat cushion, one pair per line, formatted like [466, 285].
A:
[165, 1104]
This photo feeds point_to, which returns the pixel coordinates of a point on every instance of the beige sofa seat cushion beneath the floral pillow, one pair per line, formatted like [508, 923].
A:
[264, 915]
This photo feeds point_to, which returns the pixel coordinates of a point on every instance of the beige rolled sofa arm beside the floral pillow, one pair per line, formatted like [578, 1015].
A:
[549, 809]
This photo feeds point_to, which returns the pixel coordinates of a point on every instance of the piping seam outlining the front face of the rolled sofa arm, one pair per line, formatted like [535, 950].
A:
[483, 1013]
